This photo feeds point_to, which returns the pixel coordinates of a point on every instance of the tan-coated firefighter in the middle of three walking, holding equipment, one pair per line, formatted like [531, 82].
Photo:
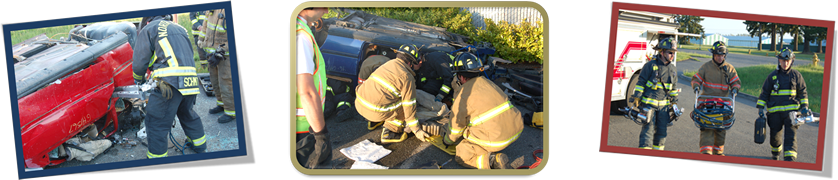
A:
[716, 78]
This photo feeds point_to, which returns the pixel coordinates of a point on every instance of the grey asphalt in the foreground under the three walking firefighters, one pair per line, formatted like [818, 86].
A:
[683, 136]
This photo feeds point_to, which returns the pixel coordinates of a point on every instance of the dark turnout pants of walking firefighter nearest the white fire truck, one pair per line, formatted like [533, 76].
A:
[656, 127]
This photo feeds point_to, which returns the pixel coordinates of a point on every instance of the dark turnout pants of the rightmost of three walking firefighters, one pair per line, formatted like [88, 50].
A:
[777, 122]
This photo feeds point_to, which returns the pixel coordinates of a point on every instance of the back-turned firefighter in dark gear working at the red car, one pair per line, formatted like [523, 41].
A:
[176, 79]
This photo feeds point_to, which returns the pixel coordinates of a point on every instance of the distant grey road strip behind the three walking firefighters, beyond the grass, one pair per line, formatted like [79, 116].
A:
[737, 60]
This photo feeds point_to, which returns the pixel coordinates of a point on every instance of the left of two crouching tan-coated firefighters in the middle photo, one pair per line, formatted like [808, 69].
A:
[389, 96]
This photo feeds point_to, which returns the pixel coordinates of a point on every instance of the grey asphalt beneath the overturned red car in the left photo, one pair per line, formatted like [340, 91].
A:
[220, 137]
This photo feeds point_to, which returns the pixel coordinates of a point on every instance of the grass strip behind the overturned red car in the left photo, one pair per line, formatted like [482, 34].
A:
[56, 32]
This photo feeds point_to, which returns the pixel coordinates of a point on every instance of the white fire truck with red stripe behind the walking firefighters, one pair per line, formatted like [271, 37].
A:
[637, 33]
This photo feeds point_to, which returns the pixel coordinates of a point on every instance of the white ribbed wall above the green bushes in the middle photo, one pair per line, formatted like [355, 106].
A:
[513, 15]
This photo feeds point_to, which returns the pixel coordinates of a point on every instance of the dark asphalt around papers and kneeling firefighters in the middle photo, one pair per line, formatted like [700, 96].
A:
[412, 152]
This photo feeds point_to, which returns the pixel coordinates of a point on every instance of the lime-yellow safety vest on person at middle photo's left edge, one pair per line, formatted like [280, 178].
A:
[319, 79]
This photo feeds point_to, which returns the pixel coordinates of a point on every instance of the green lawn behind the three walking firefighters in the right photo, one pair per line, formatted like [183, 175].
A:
[752, 78]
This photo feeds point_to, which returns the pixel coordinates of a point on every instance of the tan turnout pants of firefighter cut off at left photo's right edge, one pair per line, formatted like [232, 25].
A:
[221, 78]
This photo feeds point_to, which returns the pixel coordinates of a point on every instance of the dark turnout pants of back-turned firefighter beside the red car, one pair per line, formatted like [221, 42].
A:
[161, 115]
